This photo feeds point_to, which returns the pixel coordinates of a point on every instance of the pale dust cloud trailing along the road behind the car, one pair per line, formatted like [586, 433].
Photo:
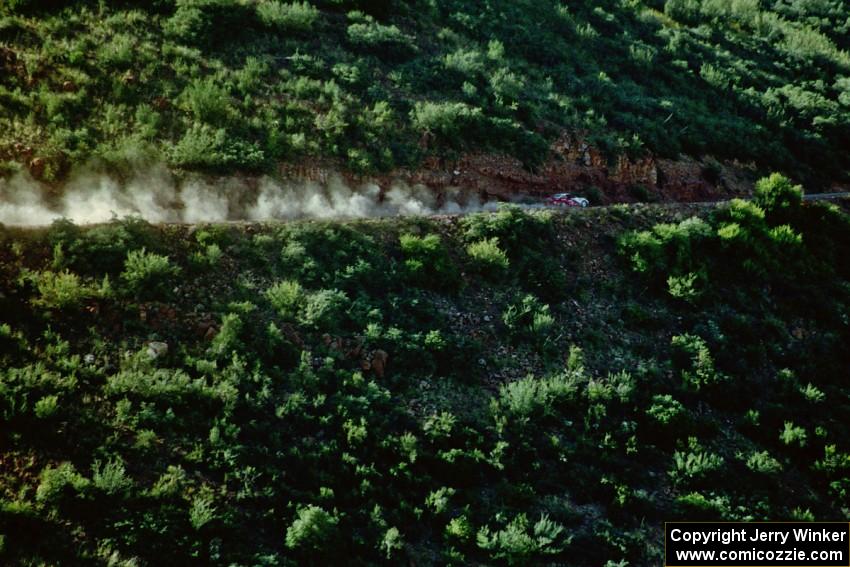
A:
[158, 197]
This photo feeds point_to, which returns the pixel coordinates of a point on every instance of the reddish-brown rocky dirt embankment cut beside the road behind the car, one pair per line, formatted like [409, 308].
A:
[573, 166]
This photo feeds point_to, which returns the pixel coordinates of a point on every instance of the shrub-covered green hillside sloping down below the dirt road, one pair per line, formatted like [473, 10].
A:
[505, 388]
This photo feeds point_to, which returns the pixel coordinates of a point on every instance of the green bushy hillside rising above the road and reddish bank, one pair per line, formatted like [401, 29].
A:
[226, 85]
